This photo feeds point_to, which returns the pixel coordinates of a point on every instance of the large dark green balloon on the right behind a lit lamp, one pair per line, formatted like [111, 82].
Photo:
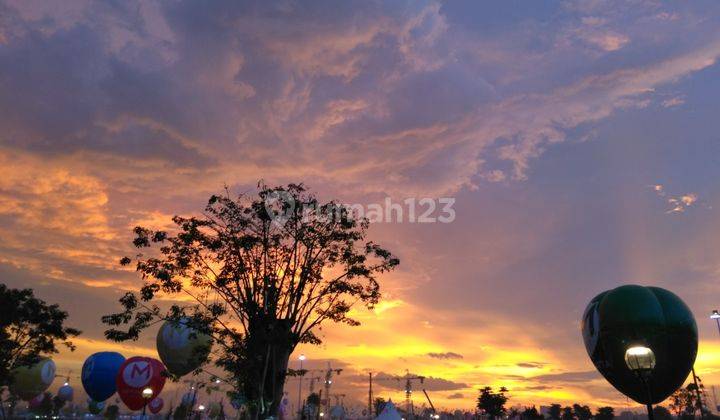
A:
[630, 316]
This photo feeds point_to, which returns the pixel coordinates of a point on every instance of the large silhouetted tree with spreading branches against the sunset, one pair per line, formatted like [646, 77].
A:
[278, 266]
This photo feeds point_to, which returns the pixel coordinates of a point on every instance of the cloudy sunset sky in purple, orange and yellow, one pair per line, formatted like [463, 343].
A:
[578, 139]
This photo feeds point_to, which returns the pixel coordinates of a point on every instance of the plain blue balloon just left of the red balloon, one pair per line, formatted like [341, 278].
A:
[99, 373]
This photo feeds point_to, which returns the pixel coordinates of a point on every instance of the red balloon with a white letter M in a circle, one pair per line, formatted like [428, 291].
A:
[136, 374]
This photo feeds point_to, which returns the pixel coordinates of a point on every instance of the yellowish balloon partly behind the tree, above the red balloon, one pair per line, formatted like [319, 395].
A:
[182, 348]
